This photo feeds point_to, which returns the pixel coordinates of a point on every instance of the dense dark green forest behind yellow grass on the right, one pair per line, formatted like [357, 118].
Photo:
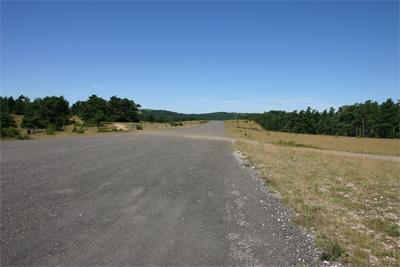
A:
[361, 119]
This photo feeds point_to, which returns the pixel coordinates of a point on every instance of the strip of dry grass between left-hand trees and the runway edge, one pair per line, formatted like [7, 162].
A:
[67, 130]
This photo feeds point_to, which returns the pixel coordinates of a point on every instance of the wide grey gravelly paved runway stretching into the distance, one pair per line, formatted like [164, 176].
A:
[161, 198]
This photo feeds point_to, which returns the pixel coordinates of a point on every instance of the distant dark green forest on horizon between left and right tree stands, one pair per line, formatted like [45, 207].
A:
[166, 116]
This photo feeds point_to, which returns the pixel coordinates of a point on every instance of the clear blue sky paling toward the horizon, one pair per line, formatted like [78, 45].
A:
[200, 57]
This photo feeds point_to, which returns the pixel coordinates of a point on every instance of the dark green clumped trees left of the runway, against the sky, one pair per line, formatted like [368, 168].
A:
[54, 112]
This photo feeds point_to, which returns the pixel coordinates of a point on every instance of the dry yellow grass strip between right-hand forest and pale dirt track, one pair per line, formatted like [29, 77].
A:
[253, 131]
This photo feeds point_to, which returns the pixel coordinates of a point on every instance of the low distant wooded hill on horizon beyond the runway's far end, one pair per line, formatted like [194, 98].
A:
[205, 116]
